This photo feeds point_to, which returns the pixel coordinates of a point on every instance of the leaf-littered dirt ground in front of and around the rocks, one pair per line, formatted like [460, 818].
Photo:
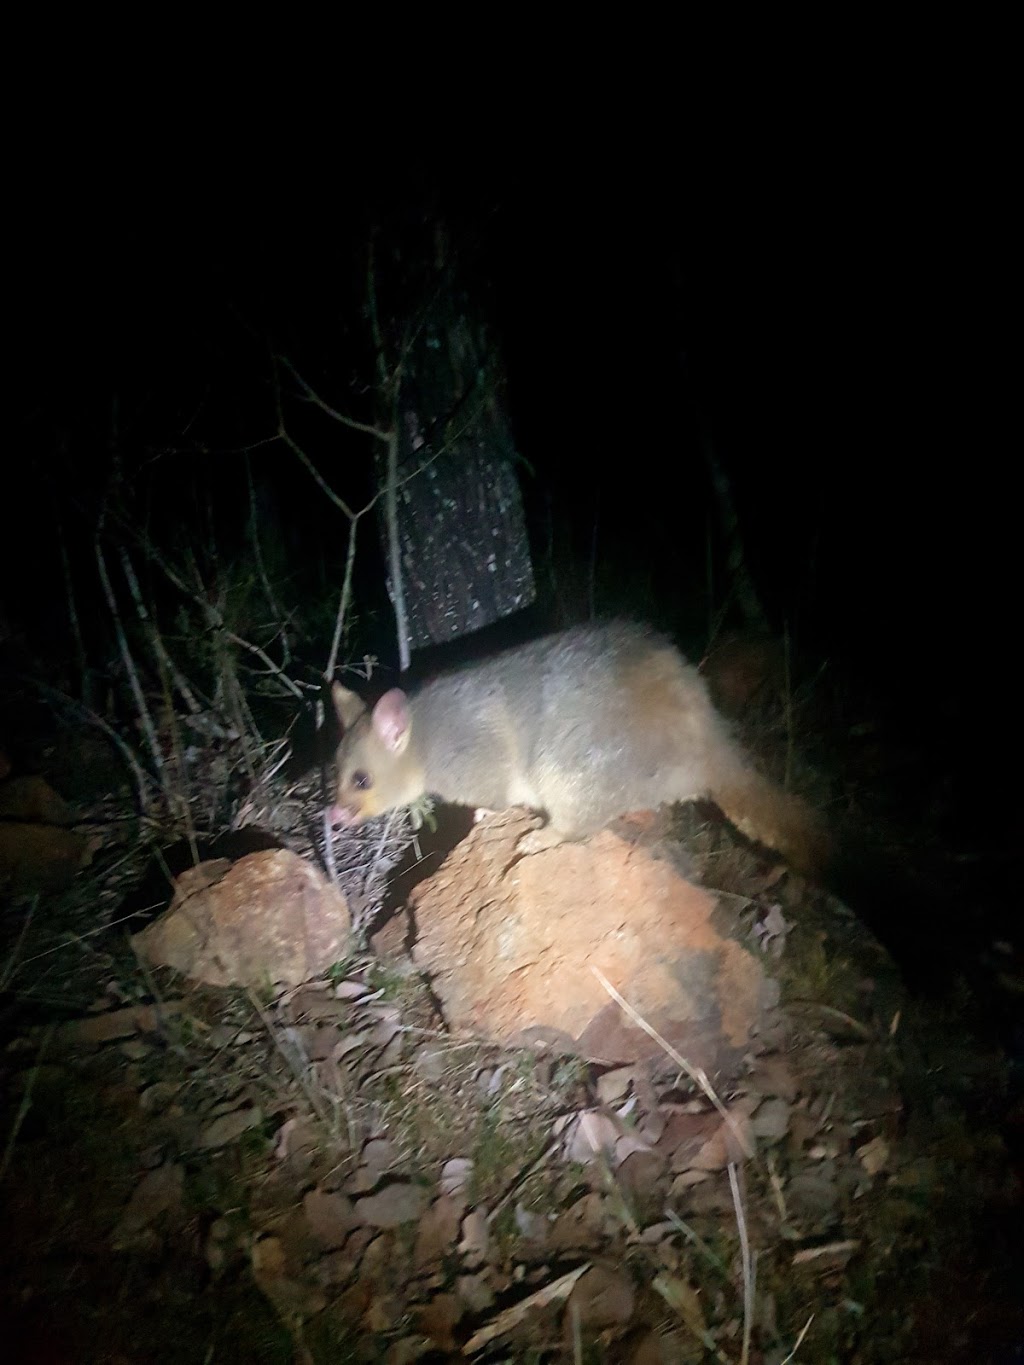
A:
[330, 1175]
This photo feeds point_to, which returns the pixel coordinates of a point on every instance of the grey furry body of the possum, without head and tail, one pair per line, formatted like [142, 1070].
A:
[585, 725]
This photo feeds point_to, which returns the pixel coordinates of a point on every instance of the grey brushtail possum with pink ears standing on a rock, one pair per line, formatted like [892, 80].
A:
[582, 727]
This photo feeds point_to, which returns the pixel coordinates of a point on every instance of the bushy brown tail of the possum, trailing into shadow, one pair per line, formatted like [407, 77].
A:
[769, 816]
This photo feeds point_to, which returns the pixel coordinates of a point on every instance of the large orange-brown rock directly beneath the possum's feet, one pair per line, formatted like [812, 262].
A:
[510, 943]
